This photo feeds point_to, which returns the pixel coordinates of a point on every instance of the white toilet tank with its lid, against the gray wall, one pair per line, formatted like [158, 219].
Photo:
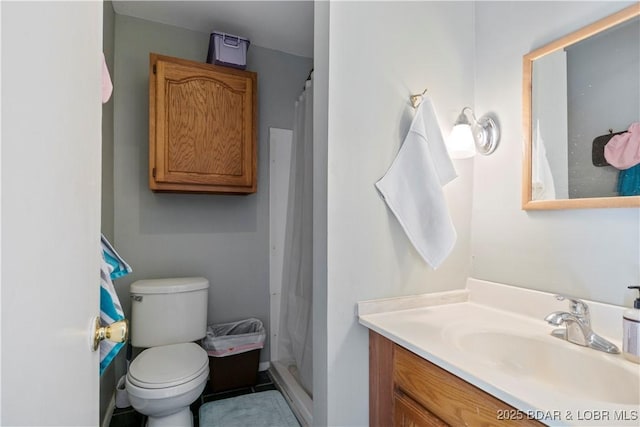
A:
[168, 311]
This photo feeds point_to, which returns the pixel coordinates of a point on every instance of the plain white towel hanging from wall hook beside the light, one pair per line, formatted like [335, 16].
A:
[412, 187]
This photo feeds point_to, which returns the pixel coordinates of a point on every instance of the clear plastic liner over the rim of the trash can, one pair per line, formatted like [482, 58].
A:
[227, 339]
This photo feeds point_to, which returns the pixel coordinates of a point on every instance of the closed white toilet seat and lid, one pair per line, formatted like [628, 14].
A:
[168, 366]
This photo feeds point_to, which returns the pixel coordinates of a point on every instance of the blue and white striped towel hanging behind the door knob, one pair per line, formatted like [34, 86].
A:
[111, 268]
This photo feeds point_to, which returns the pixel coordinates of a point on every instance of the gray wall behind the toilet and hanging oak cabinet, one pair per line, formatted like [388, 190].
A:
[223, 238]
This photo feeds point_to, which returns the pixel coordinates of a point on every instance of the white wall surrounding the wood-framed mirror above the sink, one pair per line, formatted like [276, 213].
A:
[590, 253]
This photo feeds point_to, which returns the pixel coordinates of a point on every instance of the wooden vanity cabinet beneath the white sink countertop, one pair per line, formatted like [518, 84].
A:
[408, 391]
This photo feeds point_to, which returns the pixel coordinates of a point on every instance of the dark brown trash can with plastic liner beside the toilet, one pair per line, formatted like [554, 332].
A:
[234, 353]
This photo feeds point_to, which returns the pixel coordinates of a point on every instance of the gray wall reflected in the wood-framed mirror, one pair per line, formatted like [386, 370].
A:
[603, 88]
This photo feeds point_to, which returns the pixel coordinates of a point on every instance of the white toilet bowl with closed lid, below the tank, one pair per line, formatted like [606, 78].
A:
[163, 381]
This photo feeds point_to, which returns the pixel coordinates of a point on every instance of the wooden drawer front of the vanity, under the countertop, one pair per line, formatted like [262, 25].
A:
[449, 398]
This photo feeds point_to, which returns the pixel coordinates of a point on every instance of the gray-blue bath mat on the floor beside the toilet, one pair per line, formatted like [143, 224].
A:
[263, 409]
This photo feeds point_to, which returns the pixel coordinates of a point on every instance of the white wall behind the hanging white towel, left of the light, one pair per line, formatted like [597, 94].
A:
[378, 54]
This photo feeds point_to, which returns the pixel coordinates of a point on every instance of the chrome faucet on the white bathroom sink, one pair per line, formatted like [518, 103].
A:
[578, 326]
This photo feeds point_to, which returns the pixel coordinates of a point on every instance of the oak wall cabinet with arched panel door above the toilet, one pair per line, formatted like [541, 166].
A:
[202, 127]
